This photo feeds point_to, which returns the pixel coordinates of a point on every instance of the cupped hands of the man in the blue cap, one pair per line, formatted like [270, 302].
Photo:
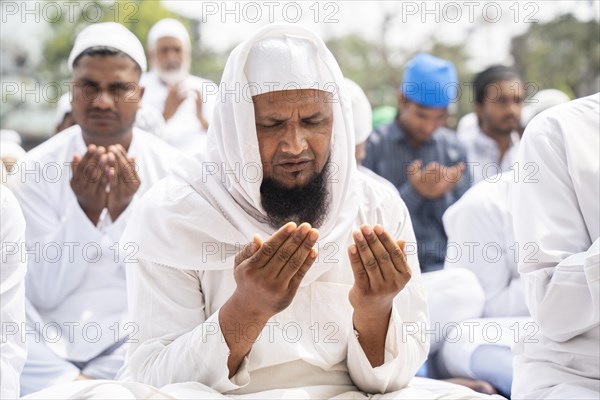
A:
[434, 180]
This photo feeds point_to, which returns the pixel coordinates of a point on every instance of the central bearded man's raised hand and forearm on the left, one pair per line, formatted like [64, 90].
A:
[267, 276]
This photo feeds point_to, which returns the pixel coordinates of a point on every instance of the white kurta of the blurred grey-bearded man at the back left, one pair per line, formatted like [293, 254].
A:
[183, 130]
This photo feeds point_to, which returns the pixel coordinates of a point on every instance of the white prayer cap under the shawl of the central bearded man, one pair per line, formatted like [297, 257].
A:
[284, 63]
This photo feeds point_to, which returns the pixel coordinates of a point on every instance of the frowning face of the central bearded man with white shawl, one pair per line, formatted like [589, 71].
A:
[294, 129]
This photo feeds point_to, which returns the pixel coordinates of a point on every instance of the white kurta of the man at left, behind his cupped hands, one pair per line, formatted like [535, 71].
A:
[77, 278]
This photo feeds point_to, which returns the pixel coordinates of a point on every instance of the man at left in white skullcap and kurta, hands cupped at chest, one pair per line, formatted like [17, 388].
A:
[77, 190]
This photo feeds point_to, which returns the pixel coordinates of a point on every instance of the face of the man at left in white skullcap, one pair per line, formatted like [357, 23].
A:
[106, 94]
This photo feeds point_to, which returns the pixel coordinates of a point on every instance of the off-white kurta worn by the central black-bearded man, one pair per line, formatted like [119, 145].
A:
[311, 343]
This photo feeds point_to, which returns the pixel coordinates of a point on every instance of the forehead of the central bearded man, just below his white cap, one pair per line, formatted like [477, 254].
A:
[285, 101]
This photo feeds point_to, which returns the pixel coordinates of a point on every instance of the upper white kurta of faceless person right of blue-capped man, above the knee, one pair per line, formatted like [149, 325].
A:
[481, 239]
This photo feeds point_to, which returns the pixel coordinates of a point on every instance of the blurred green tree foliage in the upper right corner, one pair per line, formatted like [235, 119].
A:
[562, 54]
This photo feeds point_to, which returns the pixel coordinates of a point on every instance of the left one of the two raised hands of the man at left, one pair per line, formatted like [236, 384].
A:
[89, 181]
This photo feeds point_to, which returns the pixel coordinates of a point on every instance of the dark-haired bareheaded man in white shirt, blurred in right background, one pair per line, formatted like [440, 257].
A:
[492, 143]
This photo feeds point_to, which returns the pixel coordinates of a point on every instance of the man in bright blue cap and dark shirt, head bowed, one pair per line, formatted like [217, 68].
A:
[420, 156]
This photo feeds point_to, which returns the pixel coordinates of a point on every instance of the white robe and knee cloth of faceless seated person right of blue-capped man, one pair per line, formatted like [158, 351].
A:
[481, 240]
